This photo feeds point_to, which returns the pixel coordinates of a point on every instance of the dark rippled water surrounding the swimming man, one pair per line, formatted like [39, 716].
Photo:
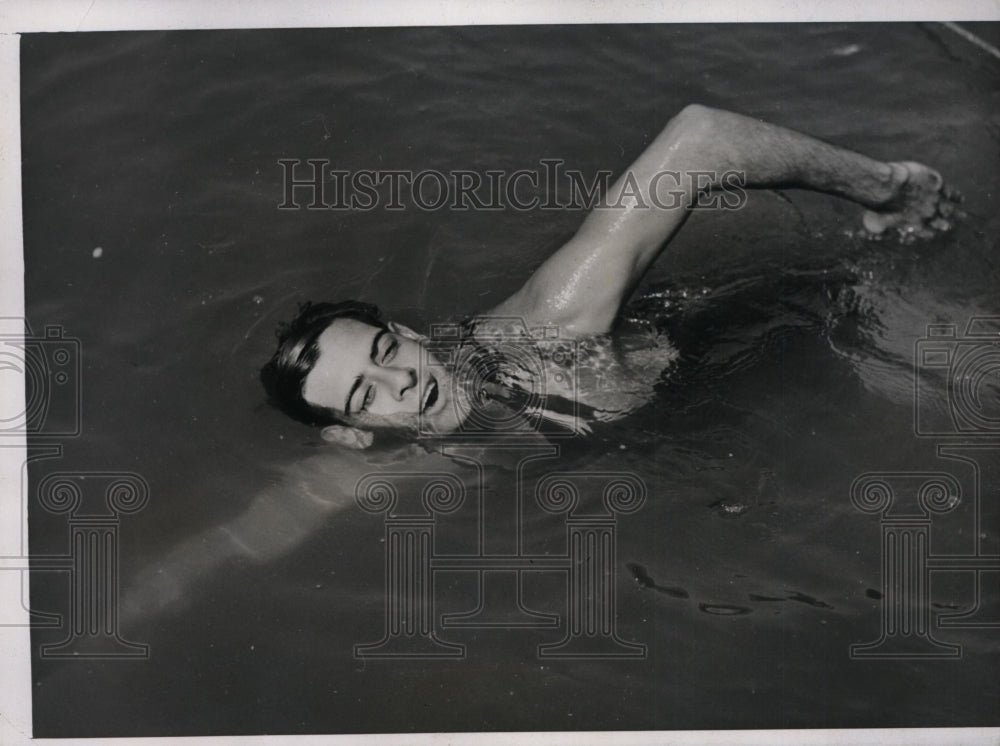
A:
[252, 574]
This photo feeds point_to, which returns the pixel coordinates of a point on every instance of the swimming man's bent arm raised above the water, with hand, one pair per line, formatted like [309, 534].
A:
[582, 286]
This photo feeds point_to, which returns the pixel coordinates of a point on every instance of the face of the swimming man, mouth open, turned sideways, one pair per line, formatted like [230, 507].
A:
[373, 378]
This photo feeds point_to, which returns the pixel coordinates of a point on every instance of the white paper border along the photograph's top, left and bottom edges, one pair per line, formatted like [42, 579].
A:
[30, 16]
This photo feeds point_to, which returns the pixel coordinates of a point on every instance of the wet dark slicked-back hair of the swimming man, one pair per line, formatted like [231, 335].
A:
[285, 373]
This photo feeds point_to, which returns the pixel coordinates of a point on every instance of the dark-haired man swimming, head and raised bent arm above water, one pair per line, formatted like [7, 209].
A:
[342, 367]
